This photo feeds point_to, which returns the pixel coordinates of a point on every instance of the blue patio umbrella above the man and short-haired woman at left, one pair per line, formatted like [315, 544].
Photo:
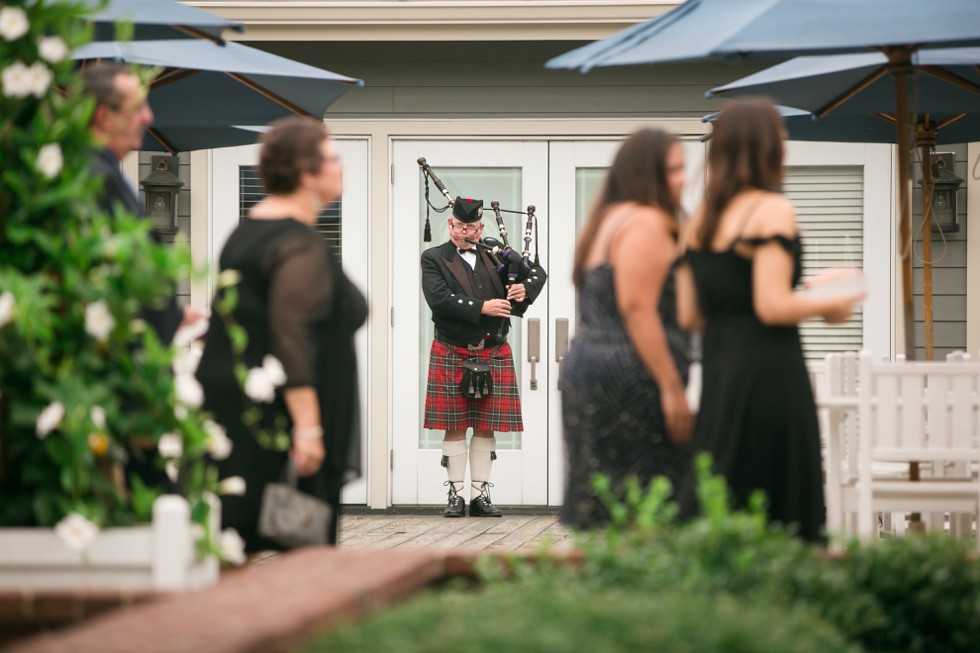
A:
[212, 95]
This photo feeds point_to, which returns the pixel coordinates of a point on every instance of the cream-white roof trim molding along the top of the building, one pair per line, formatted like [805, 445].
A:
[433, 20]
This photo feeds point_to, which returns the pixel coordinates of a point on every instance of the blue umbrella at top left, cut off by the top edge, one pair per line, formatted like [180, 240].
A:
[156, 19]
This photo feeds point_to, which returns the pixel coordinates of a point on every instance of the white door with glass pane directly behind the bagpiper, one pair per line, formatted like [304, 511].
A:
[515, 174]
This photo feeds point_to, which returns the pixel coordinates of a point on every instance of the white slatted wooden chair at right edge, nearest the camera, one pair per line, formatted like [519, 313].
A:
[917, 412]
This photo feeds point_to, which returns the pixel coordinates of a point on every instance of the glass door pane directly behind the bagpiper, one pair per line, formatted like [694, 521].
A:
[487, 184]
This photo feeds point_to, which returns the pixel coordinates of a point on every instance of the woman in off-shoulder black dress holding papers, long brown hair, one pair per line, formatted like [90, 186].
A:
[757, 415]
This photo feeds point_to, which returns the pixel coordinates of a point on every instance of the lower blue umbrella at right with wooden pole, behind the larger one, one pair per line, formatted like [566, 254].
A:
[843, 89]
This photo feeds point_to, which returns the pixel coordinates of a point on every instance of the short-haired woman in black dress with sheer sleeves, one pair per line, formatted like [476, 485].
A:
[297, 307]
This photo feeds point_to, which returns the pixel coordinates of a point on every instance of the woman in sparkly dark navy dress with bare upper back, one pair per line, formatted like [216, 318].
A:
[622, 381]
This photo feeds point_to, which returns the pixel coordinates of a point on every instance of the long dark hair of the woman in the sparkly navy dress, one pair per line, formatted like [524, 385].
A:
[638, 174]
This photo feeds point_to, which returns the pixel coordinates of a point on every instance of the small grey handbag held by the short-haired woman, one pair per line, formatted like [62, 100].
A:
[293, 518]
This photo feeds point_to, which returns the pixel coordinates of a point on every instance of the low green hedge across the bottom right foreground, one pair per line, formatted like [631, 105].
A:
[725, 582]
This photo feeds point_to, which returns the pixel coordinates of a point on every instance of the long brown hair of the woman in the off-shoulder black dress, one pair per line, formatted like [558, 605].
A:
[745, 152]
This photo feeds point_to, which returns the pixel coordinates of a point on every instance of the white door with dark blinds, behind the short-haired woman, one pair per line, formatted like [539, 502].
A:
[233, 181]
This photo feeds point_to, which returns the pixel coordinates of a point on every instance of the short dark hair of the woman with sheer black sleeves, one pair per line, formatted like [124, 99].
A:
[290, 147]
